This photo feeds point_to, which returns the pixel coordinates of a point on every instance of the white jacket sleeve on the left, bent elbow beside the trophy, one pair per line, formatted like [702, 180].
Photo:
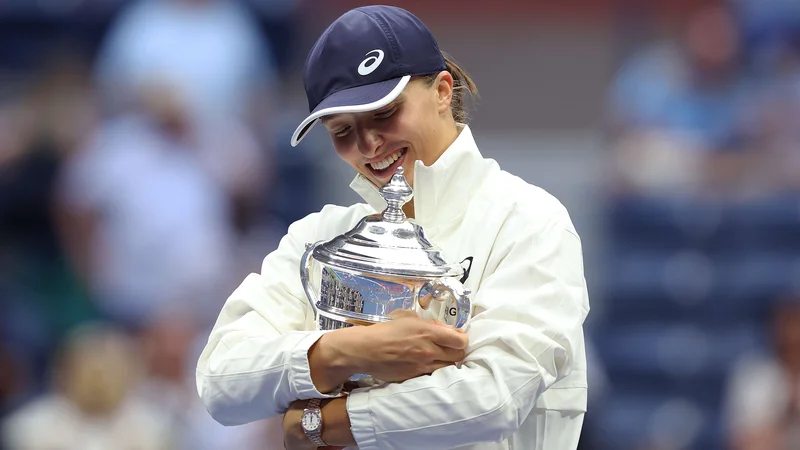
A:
[256, 360]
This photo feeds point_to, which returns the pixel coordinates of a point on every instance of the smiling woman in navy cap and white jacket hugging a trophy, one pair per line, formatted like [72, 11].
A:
[388, 97]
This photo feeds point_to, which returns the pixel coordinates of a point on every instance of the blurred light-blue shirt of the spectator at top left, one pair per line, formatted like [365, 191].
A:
[211, 52]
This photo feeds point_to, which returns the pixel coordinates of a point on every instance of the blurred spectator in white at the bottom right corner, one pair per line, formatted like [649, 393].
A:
[763, 399]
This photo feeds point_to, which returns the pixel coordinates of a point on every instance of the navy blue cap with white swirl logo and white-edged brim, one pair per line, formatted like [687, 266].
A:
[364, 60]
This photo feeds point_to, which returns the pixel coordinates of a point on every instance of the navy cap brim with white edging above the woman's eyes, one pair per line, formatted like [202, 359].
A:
[354, 100]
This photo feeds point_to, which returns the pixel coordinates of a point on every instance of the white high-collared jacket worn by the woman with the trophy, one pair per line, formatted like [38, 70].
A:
[523, 383]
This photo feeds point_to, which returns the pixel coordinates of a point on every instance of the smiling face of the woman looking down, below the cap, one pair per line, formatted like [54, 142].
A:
[418, 125]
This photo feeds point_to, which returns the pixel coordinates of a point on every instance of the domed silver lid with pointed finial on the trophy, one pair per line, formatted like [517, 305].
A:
[387, 243]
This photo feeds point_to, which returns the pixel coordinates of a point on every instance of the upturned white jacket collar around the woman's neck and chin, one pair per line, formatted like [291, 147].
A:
[441, 190]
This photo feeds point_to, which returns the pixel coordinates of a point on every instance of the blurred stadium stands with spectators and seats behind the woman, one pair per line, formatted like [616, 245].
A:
[145, 169]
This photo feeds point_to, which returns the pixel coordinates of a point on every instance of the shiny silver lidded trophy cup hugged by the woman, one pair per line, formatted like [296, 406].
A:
[383, 268]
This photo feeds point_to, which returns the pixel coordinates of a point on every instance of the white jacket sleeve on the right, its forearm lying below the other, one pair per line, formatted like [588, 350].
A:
[525, 336]
